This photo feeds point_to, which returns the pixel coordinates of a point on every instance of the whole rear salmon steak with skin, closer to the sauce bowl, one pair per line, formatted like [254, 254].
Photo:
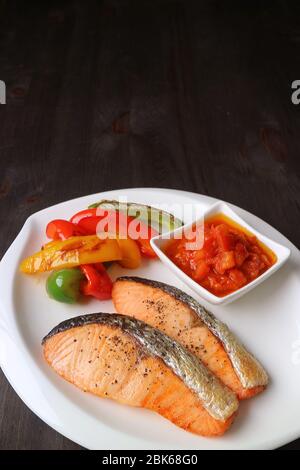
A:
[181, 317]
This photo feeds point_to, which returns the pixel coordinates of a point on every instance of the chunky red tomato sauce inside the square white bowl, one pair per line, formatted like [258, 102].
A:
[229, 259]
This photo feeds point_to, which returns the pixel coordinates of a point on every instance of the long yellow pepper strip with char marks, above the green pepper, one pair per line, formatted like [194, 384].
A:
[72, 252]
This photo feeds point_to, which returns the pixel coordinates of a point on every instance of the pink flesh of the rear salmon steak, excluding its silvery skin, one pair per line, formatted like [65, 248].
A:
[156, 304]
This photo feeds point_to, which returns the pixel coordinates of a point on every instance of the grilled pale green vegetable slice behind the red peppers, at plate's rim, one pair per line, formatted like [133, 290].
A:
[160, 220]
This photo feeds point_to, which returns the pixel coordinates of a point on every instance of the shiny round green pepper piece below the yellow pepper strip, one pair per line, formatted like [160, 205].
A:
[64, 285]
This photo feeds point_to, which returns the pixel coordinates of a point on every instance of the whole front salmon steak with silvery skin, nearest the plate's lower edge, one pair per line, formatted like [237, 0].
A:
[124, 359]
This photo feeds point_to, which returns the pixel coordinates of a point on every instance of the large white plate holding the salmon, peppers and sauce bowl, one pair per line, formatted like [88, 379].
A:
[266, 319]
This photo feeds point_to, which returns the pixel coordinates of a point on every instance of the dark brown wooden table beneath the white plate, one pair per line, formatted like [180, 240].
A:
[194, 95]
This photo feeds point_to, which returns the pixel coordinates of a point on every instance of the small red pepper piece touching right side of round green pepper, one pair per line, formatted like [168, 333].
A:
[98, 283]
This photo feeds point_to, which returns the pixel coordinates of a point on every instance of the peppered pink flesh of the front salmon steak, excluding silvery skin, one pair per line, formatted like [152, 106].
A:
[104, 360]
